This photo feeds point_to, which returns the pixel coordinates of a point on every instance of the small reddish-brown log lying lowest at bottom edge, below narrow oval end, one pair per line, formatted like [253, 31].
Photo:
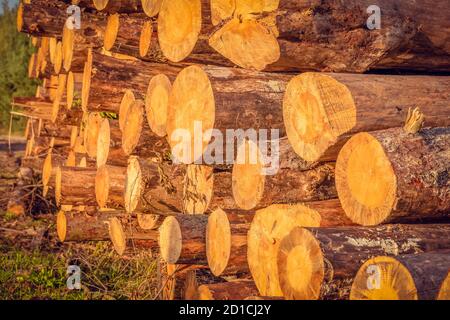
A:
[233, 290]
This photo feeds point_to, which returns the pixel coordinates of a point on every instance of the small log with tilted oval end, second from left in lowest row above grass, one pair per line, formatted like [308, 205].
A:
[126, 235]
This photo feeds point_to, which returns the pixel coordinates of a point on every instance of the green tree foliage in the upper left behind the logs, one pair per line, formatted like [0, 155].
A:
[15, 52]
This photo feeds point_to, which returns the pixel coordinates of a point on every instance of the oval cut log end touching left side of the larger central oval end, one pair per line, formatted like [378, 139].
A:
[157, 103]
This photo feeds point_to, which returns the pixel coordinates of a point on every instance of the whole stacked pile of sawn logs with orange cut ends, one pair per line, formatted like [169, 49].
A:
[143, 132]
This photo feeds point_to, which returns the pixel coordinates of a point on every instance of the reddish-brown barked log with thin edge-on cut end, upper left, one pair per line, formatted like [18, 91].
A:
[113, 77]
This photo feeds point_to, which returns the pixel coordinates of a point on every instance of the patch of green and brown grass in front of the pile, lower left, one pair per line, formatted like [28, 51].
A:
[42, 275]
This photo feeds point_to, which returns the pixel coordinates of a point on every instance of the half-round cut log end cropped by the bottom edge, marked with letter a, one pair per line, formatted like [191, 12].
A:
[383, 278]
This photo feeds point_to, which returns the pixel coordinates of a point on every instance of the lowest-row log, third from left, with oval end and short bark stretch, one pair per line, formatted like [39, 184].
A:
[182, 239]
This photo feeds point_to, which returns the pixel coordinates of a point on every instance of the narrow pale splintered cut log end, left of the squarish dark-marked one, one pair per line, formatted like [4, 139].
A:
[133, 184]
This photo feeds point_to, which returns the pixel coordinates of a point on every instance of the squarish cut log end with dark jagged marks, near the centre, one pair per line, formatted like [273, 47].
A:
[199, 189]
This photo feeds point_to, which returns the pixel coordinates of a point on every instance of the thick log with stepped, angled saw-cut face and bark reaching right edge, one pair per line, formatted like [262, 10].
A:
[317, 129]
